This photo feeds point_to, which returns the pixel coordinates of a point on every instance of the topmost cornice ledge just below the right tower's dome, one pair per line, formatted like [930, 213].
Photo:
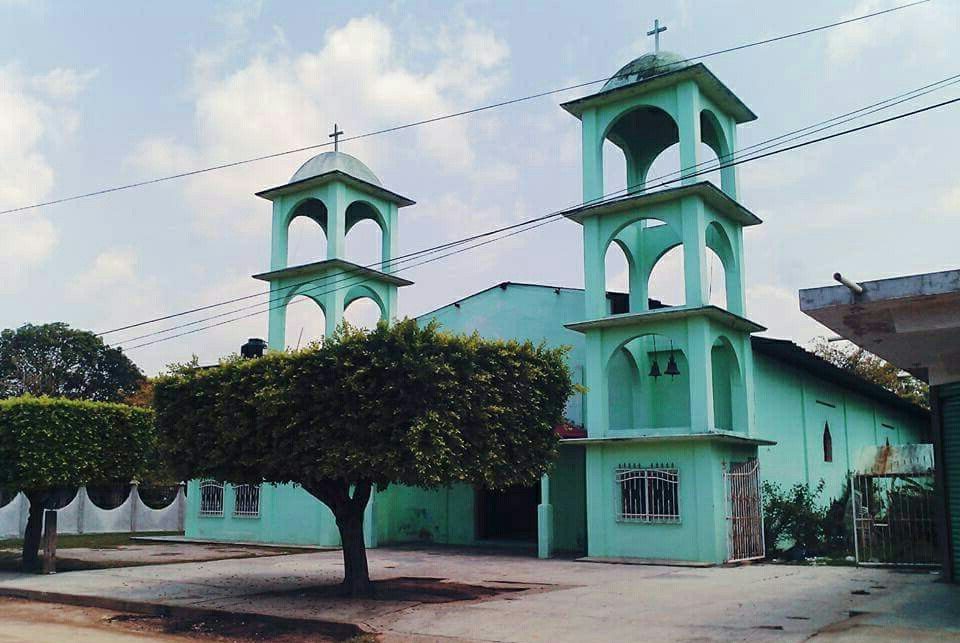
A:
[710, 85]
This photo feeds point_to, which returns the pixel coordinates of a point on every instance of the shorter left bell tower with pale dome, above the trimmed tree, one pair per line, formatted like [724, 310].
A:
[337, 191]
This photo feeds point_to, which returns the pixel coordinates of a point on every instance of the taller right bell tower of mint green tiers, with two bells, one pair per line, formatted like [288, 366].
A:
[670, 387]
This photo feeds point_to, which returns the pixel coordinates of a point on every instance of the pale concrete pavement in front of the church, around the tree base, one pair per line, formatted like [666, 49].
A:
[564, 600]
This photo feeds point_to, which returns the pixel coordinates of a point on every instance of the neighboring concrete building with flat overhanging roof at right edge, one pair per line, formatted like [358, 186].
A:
[914, 323]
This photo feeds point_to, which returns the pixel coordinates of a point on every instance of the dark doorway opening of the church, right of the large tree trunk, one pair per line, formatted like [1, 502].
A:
[510, 514]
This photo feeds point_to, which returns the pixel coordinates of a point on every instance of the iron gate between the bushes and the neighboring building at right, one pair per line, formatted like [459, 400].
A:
[893, 520]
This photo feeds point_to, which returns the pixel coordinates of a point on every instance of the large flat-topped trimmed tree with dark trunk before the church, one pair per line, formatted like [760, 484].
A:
[366, 409]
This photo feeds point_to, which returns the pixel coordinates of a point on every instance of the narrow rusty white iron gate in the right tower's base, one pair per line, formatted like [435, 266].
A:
[744, 511]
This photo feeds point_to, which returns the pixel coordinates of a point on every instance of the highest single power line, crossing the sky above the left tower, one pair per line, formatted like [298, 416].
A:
[443, 117]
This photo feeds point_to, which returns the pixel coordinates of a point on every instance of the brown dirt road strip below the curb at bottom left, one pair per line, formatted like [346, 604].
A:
[32, 622]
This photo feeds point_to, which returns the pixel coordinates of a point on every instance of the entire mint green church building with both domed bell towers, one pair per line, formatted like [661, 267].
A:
[686, 410]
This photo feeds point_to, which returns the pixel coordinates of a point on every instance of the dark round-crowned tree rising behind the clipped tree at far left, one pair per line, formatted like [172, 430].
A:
[59, 361]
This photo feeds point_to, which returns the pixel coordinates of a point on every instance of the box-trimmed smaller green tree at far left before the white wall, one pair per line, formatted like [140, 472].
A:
[47, 444]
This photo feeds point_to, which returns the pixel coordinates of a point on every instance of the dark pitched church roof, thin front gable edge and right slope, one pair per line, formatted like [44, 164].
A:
[782, 350]
